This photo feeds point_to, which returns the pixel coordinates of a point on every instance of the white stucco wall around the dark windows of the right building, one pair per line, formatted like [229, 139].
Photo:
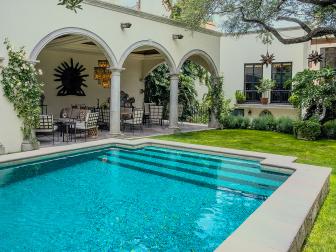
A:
[247, 49]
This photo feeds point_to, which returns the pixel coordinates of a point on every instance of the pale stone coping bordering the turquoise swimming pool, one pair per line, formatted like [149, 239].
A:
[281, 223]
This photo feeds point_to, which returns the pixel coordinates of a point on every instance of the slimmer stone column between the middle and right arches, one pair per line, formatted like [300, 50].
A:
[173, 103]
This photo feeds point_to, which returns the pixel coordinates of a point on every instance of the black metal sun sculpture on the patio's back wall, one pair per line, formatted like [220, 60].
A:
[71, 77]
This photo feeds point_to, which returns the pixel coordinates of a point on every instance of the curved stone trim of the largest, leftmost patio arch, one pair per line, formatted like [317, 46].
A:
[74, 31]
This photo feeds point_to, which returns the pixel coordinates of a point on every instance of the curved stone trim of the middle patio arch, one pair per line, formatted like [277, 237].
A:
[161, 49]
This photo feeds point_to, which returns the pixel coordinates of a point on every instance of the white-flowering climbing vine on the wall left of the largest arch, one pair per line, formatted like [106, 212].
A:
[22, 88]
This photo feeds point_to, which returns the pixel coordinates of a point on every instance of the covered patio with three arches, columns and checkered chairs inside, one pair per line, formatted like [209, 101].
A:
[85, 93]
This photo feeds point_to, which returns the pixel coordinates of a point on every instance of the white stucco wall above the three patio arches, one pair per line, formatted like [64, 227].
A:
[36, 24]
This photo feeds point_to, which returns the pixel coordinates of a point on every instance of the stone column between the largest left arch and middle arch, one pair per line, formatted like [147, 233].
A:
[115, 102]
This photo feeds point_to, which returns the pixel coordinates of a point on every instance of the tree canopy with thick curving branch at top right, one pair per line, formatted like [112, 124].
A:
[316, 18]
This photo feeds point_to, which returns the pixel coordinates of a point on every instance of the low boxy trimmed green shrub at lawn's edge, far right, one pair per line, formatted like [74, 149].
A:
[307, 130]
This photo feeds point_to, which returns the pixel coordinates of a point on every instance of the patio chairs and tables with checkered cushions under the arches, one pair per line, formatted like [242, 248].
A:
[85, 121]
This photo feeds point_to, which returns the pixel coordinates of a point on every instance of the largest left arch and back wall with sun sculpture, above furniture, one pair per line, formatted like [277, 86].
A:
[76, 75]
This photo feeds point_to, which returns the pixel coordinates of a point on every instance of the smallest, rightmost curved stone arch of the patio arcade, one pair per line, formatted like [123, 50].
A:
[202, 58]
